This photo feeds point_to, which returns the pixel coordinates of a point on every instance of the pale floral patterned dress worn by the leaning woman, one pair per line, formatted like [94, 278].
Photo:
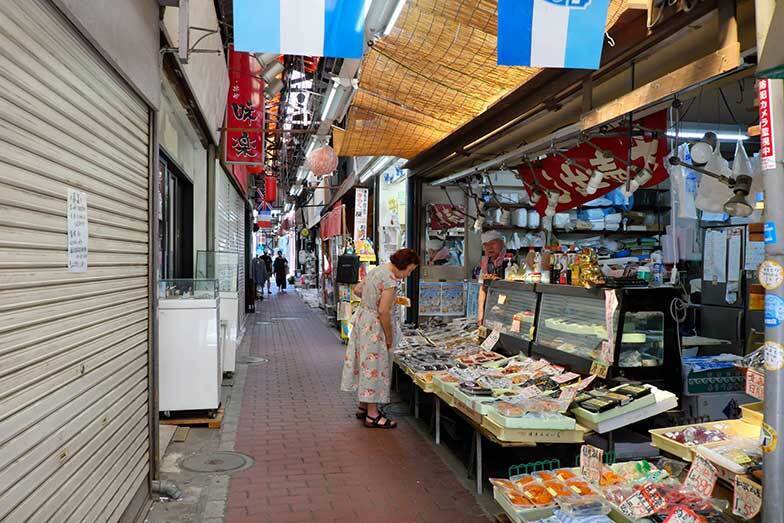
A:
[368, 363]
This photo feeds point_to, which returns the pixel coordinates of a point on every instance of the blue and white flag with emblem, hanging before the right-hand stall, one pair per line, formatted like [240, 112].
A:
[551, 33]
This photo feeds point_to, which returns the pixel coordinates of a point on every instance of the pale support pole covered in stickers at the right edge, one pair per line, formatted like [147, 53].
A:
[773, 462]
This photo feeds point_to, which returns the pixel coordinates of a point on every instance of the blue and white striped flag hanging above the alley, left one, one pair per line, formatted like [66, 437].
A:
[334, 28]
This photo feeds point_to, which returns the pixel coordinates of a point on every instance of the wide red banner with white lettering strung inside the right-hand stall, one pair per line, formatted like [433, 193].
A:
[570, 177]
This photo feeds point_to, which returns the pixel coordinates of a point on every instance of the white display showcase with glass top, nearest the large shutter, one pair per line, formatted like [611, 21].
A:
[190, 360]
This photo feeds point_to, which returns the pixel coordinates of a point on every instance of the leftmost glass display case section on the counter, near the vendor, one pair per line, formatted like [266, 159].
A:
[511, 309]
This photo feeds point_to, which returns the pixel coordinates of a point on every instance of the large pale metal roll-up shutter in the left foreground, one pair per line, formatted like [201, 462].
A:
[74, 417]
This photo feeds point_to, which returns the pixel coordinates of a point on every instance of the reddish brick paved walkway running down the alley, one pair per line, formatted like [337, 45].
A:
[314, 460]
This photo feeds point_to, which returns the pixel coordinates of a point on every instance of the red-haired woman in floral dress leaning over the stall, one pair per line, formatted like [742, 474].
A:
[374, 335]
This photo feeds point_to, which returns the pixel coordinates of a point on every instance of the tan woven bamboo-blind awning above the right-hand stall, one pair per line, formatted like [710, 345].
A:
[435, 72]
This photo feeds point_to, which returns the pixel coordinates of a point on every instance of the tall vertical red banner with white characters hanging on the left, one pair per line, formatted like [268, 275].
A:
[244, 122]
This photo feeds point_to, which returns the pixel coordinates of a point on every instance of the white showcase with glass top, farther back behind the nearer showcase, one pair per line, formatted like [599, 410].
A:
[224, 267]
